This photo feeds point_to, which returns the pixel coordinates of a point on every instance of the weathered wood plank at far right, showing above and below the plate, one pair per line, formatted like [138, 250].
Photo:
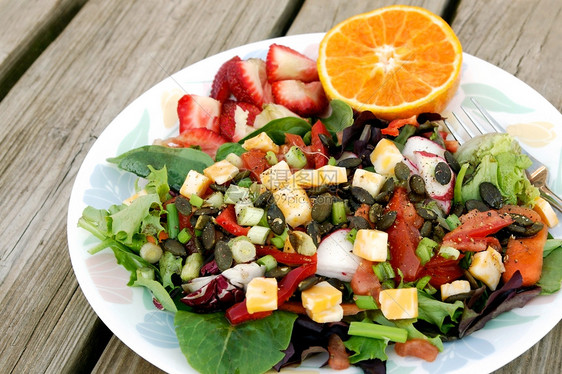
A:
[523, 38]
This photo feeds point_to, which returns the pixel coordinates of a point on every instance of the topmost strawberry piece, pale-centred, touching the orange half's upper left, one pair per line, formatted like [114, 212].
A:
[285, 63]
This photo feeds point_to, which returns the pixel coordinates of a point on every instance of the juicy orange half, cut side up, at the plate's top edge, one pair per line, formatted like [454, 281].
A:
[396, 62]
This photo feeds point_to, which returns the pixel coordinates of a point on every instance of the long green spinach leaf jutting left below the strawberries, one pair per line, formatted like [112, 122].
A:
[178, 162]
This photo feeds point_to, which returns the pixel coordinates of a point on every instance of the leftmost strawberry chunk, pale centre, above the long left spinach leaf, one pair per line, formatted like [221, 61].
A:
[196, 111]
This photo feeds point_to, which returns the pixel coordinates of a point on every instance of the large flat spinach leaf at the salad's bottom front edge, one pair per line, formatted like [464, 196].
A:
[212, 345]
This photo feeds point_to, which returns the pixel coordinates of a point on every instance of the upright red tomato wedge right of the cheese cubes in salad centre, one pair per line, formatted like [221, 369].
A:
[404, 235]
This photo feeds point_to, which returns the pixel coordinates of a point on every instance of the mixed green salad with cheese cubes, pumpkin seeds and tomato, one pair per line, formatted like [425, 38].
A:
[295, 233]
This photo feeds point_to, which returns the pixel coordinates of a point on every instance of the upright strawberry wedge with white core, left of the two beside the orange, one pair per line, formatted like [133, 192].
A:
[246, 79]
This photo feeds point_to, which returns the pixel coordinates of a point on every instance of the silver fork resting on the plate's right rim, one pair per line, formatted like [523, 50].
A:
[537, 172]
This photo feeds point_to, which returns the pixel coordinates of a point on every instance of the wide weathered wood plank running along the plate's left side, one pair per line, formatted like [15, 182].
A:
[110, 53]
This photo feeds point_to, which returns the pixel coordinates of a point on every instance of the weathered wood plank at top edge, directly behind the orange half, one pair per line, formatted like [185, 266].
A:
[322, 15]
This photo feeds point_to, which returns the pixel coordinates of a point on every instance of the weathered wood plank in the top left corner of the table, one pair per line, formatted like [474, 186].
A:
[26, 28]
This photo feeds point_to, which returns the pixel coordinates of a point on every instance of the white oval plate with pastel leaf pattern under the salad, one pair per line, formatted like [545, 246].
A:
[129, 313]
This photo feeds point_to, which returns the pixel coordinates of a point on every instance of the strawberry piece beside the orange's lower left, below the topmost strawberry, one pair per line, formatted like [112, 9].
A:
[305, 99]
